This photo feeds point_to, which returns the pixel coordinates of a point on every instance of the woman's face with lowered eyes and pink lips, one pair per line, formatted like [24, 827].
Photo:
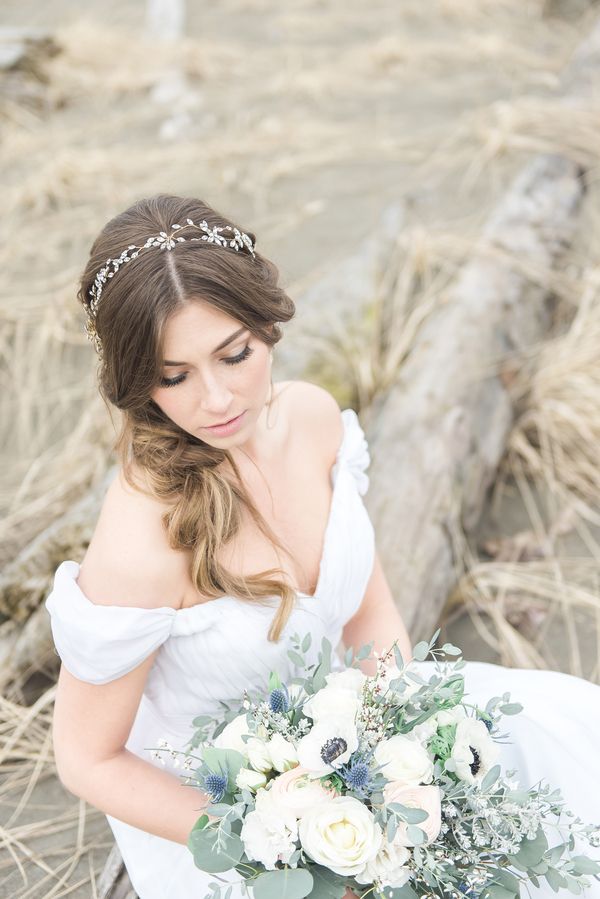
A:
[206, 384]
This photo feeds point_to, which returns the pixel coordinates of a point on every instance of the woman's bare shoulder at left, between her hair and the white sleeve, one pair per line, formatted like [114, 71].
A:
[129, 561]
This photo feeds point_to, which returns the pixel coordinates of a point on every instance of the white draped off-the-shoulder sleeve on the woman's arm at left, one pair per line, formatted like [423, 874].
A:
[99, 643]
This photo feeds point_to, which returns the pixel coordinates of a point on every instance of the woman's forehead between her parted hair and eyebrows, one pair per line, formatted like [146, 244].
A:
[197, 326]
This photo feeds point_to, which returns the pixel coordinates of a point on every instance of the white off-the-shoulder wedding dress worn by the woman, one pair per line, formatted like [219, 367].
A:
[212, 651]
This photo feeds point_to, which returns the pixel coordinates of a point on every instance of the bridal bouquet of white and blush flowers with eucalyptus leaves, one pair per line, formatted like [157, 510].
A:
[385, 785]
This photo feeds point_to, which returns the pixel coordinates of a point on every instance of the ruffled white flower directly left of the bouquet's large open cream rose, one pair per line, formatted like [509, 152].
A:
[268, 835]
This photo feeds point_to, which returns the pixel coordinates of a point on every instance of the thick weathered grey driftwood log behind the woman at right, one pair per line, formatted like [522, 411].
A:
[438, 435]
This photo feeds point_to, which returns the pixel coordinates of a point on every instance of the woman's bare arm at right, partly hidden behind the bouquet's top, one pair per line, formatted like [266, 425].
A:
[377, 620]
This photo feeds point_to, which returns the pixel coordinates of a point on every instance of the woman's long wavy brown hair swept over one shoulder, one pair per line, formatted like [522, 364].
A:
[204, 507]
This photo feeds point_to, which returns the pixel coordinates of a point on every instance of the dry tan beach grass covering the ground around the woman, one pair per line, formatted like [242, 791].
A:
[303, 120]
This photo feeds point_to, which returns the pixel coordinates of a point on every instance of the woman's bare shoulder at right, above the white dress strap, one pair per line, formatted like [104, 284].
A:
[320, 414]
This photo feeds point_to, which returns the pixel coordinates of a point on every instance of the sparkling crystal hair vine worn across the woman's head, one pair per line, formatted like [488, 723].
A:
[166, 242]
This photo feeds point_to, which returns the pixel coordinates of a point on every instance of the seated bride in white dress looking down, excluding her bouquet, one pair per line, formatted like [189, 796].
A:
[236, 520]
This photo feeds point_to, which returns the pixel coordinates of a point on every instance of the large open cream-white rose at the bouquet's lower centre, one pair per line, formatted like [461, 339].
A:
[341, 834]
